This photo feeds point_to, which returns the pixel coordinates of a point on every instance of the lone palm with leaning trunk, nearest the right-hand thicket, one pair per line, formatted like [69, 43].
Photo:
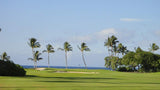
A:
[83, 48]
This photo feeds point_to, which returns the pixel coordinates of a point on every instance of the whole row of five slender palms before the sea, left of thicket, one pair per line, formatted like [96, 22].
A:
[66, 48]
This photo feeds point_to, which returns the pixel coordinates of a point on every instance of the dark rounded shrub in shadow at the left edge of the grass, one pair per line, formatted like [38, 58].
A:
[8, 68]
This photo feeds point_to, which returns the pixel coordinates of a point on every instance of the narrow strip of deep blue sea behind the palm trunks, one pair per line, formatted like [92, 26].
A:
[62, 67]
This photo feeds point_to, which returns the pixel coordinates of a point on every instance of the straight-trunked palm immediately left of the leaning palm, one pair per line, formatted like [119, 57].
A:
[66, 47]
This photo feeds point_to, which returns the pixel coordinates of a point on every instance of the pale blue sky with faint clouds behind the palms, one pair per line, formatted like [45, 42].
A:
[134, 22]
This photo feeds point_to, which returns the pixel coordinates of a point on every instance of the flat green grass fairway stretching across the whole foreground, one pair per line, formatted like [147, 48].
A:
[102, 80]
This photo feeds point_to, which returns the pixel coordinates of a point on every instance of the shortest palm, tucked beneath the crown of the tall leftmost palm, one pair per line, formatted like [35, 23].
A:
[36, 57]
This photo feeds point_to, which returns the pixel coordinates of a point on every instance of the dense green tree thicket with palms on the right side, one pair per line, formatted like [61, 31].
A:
[138, 60]
